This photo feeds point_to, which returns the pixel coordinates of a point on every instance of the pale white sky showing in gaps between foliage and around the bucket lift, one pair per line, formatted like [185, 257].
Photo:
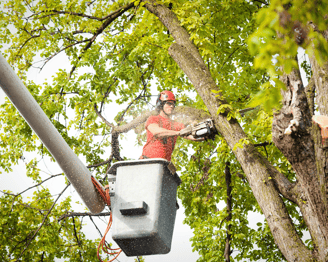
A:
[181, 249]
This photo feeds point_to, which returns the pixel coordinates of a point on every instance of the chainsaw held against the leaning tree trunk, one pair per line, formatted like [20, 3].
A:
[205, 129]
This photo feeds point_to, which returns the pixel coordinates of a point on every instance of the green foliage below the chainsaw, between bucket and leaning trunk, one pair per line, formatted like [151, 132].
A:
[203, 193]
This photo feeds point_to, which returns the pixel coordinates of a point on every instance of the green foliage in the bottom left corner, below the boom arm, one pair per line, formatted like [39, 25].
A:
[19, 220]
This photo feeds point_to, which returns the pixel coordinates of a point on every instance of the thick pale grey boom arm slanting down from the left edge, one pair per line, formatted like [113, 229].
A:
[74, 169]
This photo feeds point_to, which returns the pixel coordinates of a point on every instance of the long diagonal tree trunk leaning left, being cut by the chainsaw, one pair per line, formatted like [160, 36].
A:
[257, 169]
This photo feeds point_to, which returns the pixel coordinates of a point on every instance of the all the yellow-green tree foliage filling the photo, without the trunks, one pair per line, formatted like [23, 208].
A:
[239, 43]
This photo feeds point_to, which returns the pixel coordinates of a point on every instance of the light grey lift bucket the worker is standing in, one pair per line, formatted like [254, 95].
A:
[144, 205]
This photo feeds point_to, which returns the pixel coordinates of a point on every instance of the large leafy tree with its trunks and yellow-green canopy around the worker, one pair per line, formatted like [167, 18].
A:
[239, 57]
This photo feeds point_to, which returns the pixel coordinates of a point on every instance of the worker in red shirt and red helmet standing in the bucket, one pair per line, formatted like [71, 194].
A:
[162, 131]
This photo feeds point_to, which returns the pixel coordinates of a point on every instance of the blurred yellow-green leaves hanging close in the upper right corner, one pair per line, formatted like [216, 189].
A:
[283, 28]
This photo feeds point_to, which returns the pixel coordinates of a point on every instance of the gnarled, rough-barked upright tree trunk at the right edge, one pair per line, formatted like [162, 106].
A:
[292, 134]
